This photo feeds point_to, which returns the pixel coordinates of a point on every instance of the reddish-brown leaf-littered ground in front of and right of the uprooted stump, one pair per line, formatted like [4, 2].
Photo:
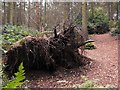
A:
[103, 68]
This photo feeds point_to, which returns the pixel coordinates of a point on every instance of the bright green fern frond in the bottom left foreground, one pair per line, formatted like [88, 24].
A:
[18, 79]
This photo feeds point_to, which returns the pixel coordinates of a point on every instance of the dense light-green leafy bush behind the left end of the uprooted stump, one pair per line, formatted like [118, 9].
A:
[11, 34]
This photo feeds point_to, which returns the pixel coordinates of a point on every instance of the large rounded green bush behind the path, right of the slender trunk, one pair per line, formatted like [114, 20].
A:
[98, 22]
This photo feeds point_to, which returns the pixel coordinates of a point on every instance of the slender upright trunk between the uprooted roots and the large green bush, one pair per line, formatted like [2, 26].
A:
[84, 20]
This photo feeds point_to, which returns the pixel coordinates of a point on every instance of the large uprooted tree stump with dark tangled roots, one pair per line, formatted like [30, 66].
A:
[46, 54]
